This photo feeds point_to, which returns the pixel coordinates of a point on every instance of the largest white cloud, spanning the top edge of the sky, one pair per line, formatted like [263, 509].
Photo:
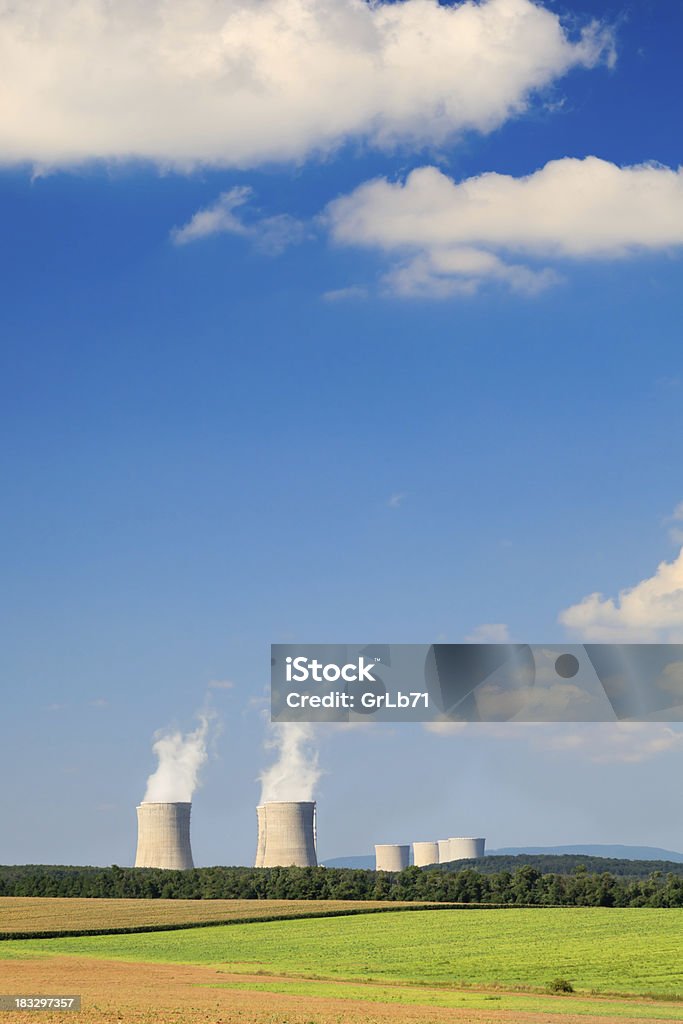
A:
[241, 82]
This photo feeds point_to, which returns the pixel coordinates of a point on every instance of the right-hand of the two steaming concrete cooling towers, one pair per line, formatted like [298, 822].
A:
[286, 835]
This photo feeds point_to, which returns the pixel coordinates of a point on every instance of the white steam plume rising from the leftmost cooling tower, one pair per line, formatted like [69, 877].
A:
[181, 760]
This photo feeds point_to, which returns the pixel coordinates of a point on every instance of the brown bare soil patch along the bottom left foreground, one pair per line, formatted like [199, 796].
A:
[163, 994]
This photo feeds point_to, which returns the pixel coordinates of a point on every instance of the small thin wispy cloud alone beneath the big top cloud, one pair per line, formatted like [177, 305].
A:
[270, 235]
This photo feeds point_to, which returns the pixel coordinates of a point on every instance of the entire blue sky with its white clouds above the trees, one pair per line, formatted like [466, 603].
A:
[206, 452]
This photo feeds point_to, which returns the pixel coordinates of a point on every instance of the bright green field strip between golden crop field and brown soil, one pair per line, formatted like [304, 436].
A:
[606, 951]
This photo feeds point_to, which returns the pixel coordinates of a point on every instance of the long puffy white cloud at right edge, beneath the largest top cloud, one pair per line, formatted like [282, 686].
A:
[450, 237]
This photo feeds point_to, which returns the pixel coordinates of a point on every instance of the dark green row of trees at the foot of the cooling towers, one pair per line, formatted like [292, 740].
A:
[526, 886]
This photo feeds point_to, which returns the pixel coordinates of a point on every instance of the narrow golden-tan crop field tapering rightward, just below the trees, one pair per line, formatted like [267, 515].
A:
[26, 914]
